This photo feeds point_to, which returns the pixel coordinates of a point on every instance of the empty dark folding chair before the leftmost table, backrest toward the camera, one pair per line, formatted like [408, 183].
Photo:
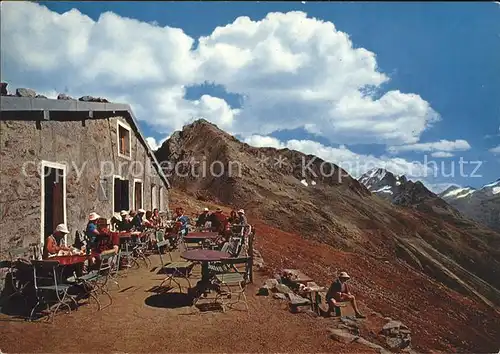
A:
[46, 281]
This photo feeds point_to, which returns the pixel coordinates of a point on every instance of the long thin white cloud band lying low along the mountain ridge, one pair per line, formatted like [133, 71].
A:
[355, 164]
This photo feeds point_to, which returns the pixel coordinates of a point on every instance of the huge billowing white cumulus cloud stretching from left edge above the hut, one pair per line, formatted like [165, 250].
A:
[291, 71]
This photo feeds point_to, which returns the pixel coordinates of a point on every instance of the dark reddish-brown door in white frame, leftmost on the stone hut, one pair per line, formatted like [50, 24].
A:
[54, 199]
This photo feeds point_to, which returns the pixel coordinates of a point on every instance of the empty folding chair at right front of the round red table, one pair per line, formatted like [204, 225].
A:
[233, 283]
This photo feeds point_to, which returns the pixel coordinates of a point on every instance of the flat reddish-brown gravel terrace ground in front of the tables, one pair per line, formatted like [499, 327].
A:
[140, 321]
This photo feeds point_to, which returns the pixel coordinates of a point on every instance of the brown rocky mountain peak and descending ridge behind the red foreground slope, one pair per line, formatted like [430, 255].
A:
[334, 209]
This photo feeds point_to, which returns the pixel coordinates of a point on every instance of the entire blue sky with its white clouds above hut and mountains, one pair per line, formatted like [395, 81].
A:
[447, 53]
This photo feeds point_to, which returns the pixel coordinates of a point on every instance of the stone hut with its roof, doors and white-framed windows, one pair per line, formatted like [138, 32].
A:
[63, 159]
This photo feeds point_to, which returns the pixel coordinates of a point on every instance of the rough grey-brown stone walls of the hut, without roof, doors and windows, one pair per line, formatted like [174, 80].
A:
[83, 146]
